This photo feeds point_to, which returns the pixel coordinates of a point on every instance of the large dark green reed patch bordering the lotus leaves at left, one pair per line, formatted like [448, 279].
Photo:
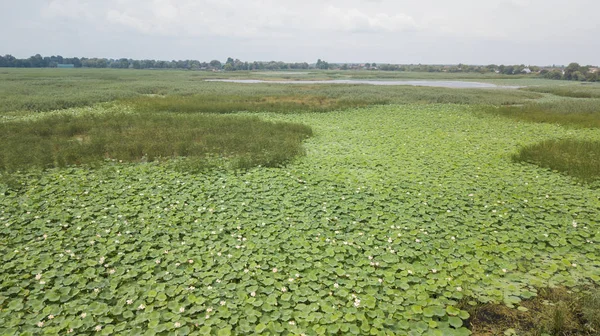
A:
[64, 140]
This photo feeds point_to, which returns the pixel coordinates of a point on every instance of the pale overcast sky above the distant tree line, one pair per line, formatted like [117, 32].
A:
[530, 32]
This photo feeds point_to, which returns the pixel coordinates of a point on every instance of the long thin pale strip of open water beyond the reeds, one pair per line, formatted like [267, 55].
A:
[447, 84]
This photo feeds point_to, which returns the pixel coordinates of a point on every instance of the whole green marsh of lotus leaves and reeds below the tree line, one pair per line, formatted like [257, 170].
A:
[393, 211]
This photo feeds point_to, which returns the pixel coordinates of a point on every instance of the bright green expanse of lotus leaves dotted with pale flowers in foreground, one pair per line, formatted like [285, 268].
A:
[397, 217]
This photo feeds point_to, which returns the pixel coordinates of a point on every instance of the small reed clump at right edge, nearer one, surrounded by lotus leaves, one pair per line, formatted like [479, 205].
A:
[579, 158]
